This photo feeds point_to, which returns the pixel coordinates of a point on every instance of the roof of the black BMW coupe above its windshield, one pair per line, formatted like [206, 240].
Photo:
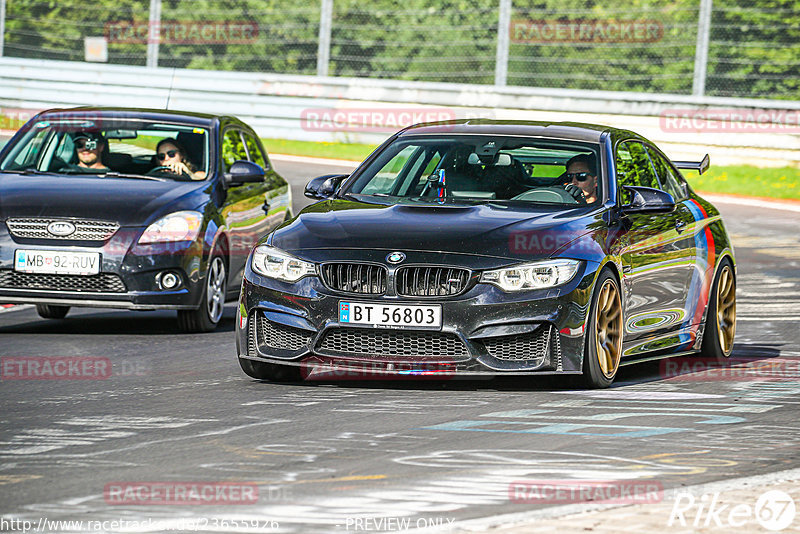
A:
[577, 131]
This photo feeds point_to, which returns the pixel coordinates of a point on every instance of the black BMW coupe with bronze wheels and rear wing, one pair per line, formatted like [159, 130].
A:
[475, 248]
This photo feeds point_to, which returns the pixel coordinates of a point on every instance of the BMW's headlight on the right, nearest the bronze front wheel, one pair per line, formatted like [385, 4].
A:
[537, 275]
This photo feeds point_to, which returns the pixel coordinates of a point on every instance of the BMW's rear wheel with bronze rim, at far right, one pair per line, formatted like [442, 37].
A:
[720, 327]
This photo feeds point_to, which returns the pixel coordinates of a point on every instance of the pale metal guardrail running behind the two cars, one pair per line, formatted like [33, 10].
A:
[276, 104]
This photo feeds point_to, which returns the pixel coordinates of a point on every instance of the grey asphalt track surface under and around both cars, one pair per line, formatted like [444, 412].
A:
[375, 456]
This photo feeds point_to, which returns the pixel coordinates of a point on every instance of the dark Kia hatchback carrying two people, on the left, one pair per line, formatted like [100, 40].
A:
[133, 209]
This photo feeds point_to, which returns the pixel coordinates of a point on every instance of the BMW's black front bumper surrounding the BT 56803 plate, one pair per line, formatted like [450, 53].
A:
[485, 331]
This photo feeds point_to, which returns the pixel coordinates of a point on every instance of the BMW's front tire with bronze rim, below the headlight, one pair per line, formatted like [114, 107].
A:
[603, 350]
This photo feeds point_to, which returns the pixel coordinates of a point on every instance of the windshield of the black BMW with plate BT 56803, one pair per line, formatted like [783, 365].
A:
[473, 169]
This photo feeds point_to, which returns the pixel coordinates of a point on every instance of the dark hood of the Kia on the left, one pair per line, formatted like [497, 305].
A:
[129, 202]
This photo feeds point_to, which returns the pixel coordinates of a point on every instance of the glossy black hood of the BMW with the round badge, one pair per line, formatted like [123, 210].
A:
[486, 229]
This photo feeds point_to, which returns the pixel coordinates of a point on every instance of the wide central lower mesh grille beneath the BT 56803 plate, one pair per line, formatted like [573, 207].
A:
[362, 342]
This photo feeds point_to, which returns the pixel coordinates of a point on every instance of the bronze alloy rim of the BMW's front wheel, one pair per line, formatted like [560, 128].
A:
[608, 328]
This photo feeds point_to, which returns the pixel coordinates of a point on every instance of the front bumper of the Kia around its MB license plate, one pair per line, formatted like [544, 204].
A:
[128, 275]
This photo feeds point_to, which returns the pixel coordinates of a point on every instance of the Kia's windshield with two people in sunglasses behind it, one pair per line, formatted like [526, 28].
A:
[113, 147]
